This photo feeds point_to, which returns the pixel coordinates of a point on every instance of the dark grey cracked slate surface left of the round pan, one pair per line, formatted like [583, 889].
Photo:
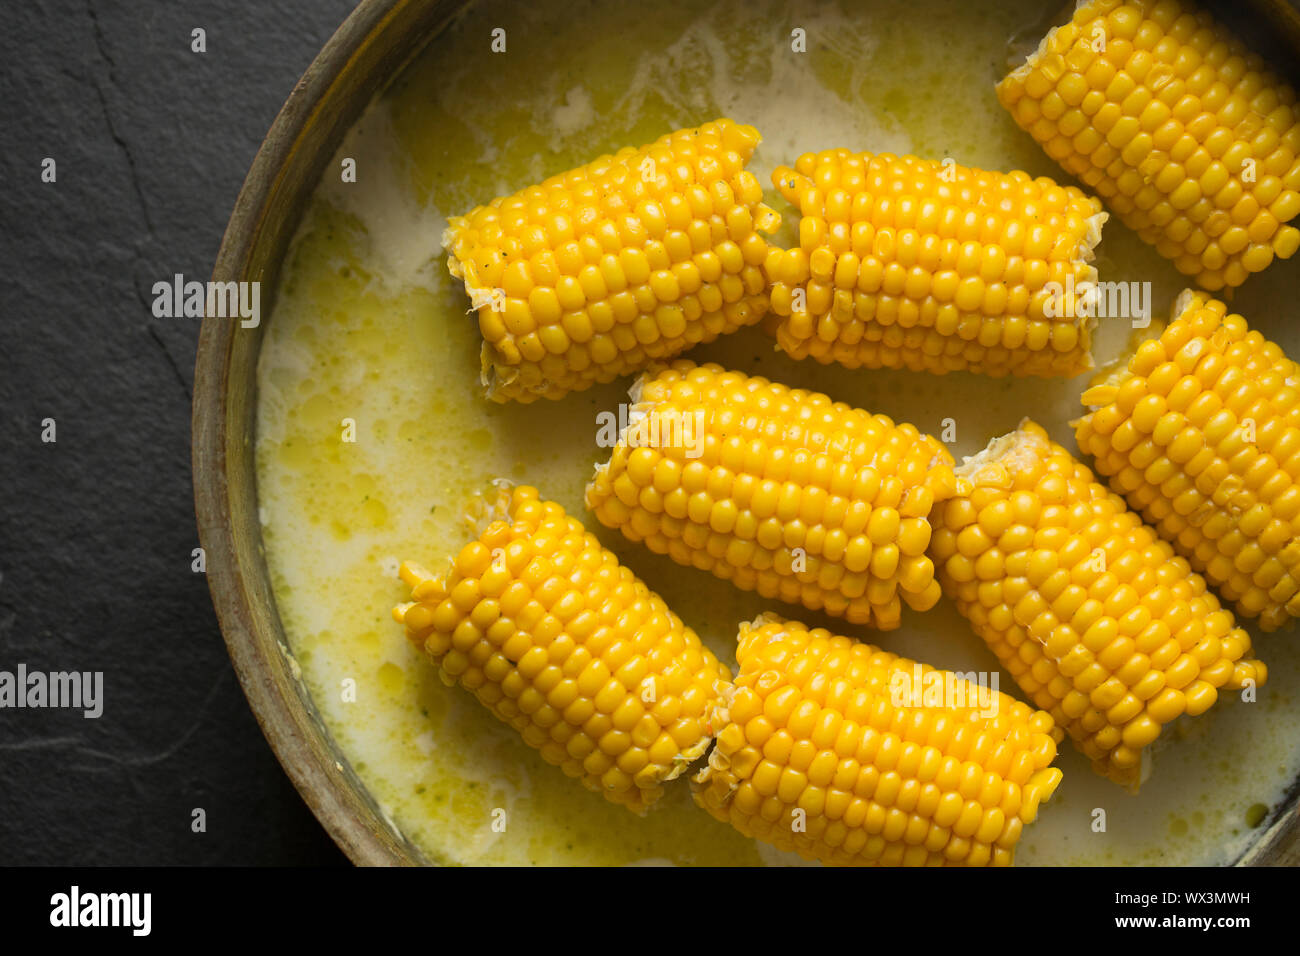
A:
[153, 142]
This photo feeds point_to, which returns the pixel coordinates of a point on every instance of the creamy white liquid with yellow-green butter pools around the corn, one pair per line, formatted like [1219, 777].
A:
[374, 434]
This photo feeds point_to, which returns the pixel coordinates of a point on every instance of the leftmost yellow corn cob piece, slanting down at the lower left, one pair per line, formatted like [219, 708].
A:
[570, 648]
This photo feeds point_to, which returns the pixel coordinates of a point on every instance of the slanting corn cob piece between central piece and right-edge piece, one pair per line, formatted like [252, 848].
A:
[1095, 617]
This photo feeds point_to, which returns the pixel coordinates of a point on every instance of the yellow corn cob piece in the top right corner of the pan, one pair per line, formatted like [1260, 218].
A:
[1182, 131]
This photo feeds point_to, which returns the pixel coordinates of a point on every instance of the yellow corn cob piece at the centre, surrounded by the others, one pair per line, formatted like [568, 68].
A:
[779, 491]
